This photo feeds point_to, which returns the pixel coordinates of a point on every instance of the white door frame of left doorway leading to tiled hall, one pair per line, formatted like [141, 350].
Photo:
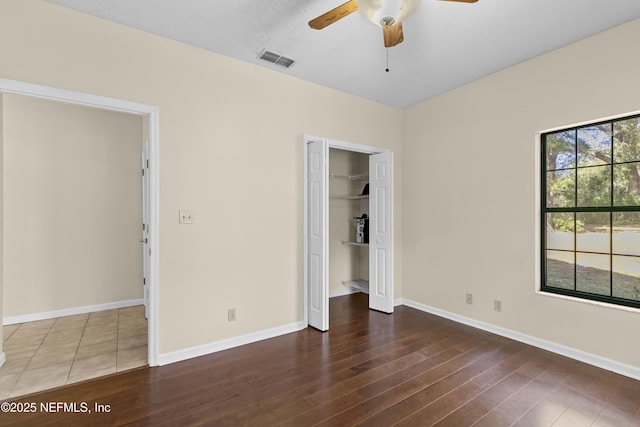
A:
[152, 114]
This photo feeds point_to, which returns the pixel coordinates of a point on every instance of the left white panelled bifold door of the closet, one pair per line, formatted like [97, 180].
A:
[317, 234]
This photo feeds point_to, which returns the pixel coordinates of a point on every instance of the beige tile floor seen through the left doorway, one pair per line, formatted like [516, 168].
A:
[54, 352]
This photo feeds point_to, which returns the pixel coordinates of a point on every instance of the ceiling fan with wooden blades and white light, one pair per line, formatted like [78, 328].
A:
[387, 14]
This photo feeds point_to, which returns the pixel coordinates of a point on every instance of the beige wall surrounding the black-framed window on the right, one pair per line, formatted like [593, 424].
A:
[470, 179]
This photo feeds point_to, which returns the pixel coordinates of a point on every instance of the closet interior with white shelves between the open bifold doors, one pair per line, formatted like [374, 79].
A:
[348, 200]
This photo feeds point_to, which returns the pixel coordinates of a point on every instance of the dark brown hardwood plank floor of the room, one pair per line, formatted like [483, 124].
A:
[409, 369]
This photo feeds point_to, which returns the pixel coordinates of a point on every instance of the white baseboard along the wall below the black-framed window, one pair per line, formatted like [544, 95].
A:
[582, 356]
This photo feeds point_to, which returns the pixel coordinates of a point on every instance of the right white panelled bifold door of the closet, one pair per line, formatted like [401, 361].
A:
[380, 239]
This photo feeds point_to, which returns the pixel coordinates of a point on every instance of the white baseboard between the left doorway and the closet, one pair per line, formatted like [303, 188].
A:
[202, 350]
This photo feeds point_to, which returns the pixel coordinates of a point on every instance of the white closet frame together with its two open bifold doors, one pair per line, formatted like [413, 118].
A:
[316, 228]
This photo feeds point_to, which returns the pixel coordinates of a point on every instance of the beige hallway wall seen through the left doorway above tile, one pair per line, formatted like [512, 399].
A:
[72, 215]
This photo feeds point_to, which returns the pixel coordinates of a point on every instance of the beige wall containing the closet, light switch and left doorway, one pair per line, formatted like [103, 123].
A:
[230, 149]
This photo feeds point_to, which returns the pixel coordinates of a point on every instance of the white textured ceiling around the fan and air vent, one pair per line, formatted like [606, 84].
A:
[446, 44]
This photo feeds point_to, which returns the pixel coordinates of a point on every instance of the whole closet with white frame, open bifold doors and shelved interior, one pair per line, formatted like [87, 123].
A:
[335, 262]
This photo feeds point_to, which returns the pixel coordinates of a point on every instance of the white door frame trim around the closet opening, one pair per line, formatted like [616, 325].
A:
[332, 143]
